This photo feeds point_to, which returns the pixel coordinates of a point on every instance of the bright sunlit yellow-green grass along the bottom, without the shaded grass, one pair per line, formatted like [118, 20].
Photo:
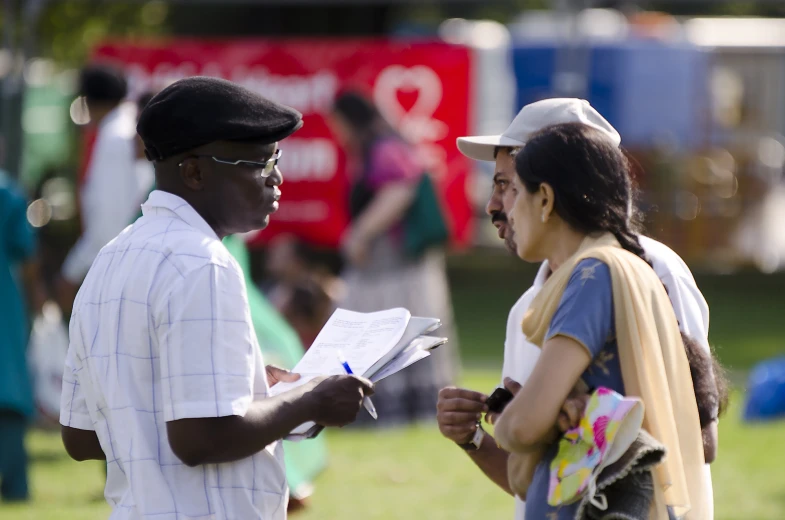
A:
[414, 473]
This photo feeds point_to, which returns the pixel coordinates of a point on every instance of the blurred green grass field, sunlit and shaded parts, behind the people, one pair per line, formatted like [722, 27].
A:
[414, 473]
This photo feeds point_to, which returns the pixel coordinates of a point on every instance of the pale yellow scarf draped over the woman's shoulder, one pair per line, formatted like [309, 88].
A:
[653, 363]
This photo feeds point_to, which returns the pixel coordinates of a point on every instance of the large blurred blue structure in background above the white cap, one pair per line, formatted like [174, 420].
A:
[650, 91]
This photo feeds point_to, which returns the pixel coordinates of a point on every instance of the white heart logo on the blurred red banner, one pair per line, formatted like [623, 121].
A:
[417, 123]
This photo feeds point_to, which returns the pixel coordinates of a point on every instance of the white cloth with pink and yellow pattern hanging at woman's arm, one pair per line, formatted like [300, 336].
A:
[609, 426]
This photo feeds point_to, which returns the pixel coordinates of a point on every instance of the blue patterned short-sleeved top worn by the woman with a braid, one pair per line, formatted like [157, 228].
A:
[586, 315]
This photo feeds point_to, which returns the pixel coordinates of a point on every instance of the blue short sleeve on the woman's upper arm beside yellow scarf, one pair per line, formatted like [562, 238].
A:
[585, 312]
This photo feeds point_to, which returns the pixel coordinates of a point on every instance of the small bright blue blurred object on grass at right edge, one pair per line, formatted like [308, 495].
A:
[766, 391]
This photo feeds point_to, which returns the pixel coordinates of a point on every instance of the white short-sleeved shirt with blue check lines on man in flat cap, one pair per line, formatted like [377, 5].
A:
[161, 331]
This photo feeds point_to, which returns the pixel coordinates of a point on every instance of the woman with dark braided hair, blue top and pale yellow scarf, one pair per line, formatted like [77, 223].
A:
[603, 319]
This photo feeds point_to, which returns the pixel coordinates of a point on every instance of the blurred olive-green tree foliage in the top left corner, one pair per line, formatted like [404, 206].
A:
[68, 29]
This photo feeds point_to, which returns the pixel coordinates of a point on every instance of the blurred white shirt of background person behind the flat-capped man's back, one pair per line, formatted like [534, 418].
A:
[113, 190]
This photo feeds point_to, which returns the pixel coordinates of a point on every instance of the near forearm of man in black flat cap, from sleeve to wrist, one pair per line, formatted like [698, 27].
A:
[232, 438]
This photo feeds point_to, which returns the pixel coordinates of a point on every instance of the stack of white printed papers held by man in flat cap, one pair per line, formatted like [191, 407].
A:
[375, 345]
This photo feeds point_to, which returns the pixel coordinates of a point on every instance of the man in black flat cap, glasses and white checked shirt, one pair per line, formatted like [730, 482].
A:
[164, 378]
